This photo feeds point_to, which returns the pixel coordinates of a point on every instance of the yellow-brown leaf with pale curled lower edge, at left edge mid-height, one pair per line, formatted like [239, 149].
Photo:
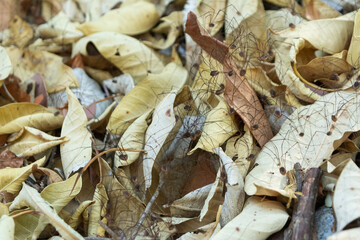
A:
[15, 116]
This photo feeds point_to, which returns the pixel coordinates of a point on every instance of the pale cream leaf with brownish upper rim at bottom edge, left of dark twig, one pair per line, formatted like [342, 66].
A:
[259, 219]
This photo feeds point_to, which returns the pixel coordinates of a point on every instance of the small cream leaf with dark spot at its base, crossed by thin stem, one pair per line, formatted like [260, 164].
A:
[133, 138]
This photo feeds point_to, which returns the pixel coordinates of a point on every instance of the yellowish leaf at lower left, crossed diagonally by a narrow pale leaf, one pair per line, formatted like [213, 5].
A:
[57, 199]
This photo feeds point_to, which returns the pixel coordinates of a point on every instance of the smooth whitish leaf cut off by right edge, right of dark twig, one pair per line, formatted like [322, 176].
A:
[347, 192]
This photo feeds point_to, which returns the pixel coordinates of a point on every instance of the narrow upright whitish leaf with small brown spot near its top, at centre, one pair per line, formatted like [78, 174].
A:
[162, 123]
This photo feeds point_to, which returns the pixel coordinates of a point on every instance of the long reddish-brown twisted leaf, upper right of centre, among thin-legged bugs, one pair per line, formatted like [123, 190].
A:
[238, 93]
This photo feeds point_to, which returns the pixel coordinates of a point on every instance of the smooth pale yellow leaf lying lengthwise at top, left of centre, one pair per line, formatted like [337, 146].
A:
[130, 19]
